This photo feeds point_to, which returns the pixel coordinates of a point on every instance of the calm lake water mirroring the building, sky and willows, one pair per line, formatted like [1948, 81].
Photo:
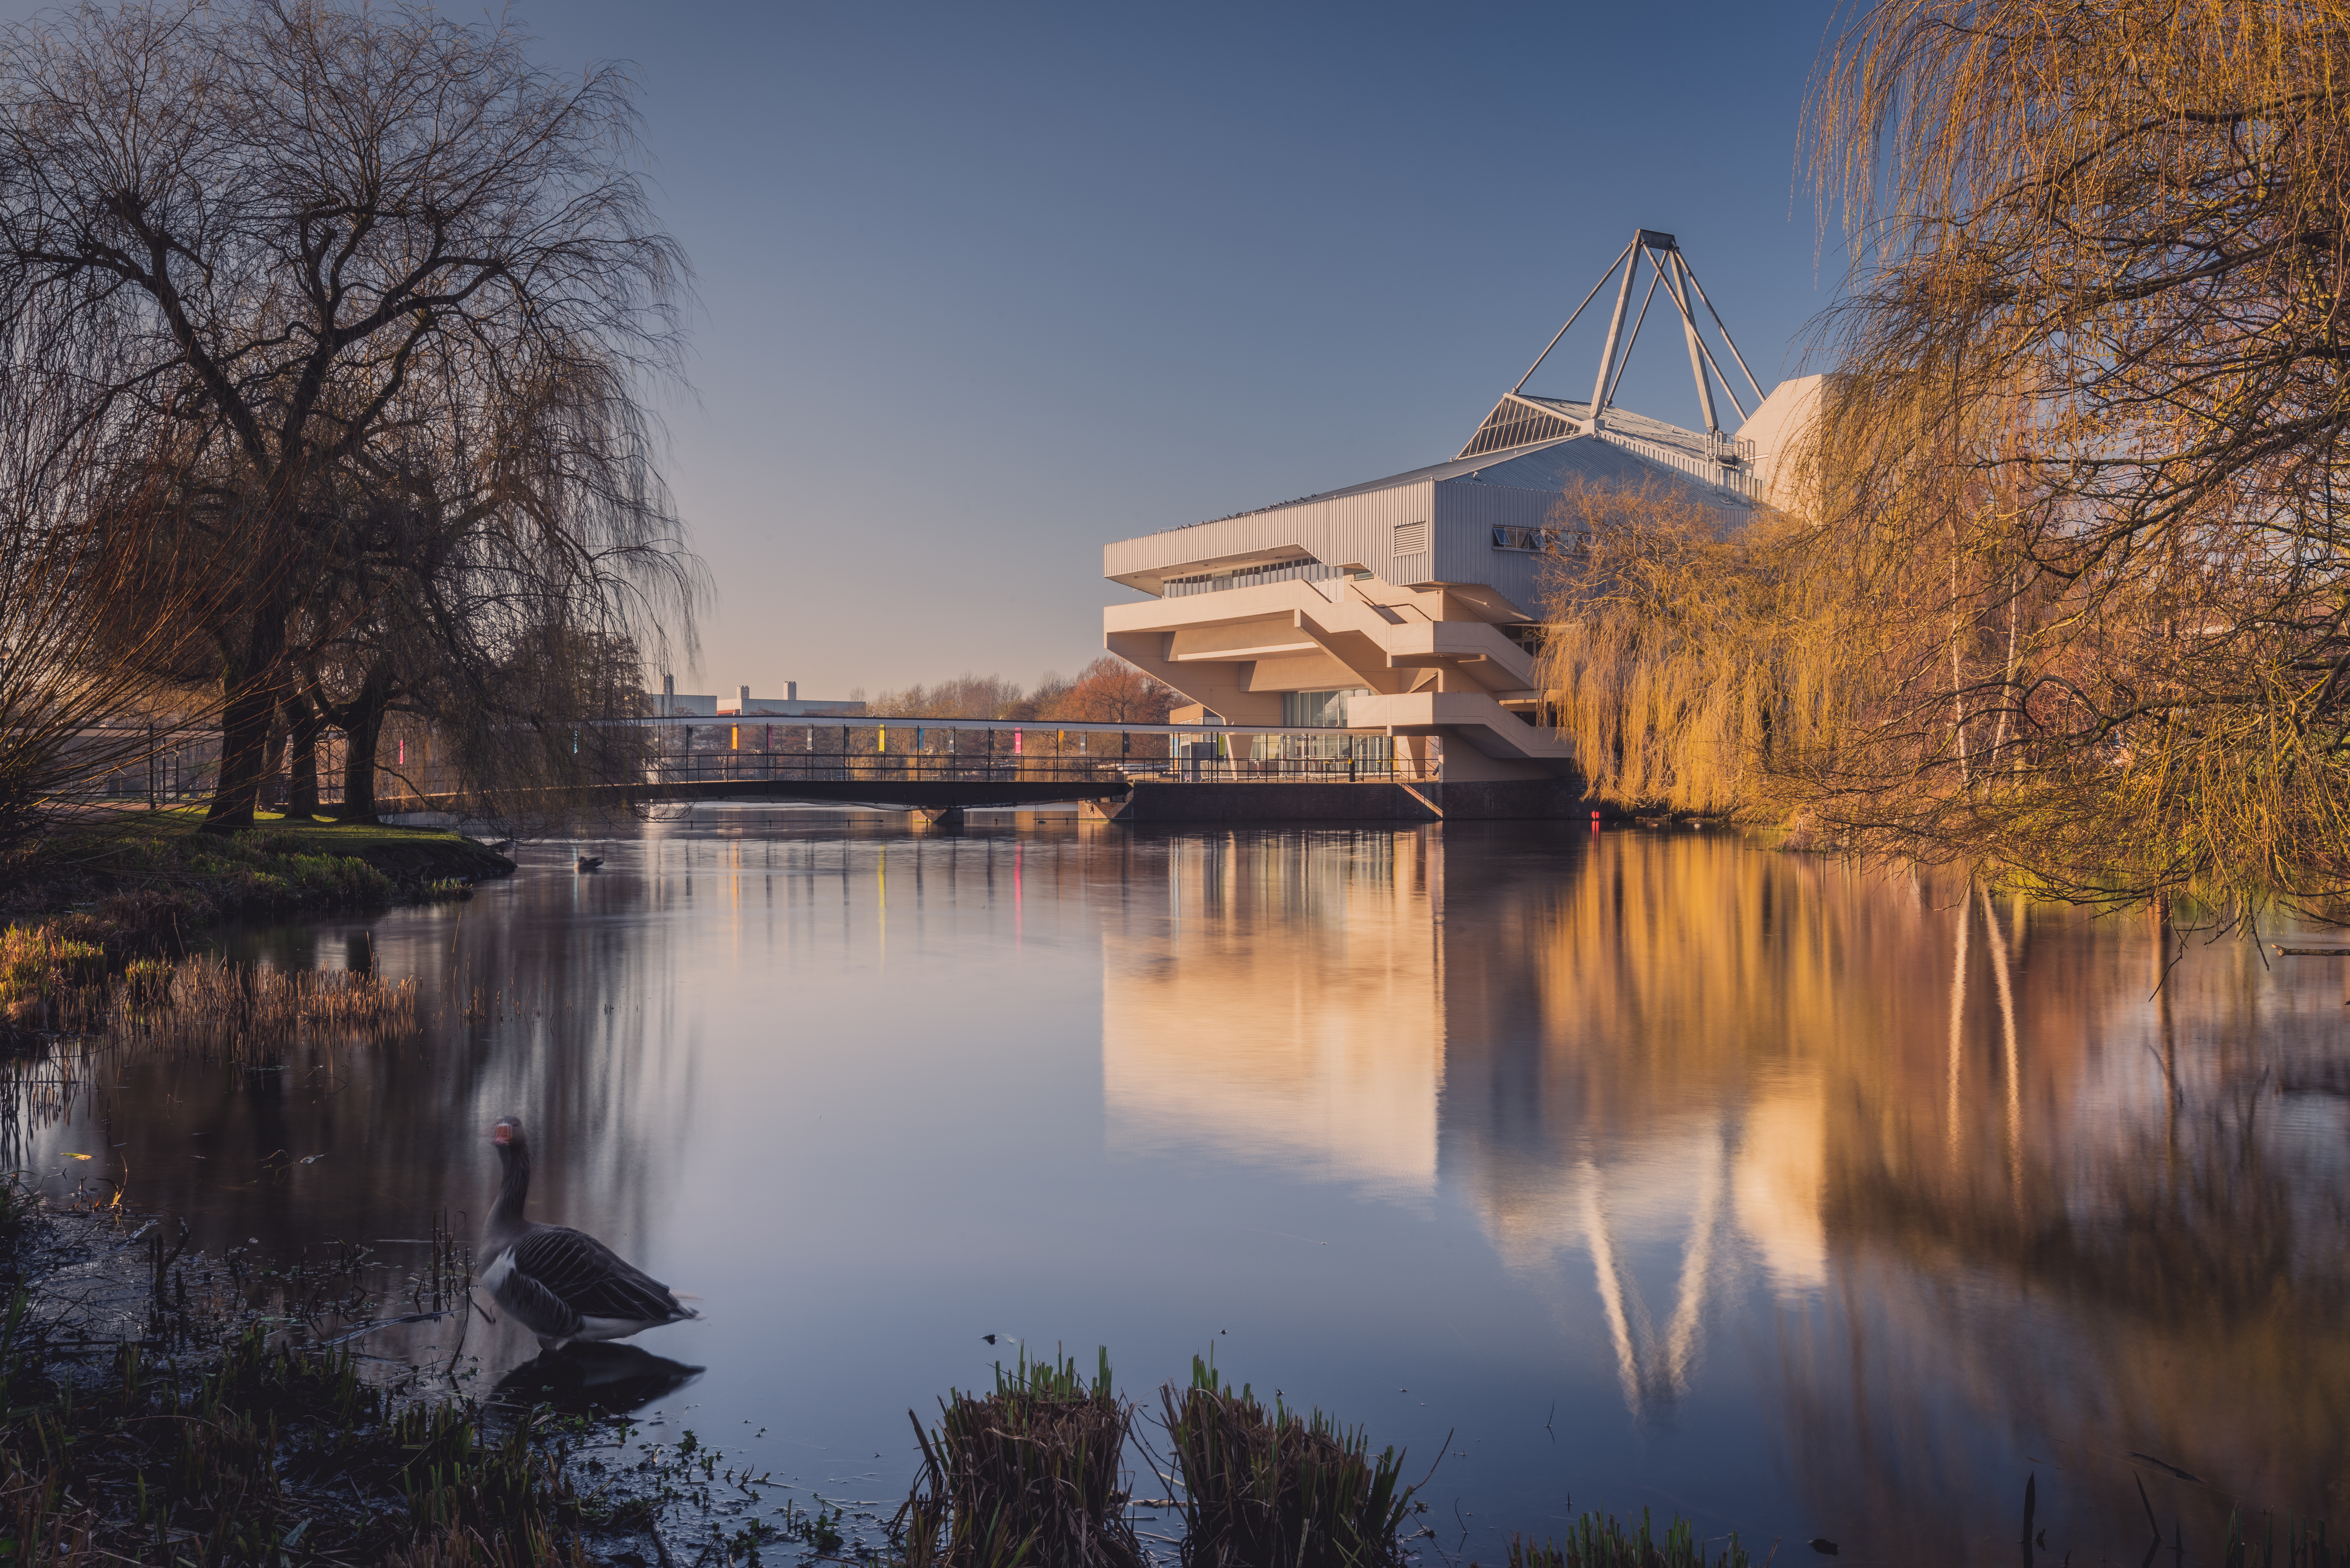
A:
[1656, 1170]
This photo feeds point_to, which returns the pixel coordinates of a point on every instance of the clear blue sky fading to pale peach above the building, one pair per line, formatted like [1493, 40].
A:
[983, 288]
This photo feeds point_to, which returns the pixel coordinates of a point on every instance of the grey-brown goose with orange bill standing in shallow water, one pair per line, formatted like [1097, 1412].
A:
[558, 1282]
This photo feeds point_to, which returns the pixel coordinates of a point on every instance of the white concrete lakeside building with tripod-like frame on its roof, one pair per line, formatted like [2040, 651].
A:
[1411, 605]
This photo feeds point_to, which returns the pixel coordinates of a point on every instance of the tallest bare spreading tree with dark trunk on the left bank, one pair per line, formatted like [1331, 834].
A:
[297, 255]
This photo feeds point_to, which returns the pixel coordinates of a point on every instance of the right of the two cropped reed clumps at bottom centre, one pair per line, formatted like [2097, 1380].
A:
[1270, 1489]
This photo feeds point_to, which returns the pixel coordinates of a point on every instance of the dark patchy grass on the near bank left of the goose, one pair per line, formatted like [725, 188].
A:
[220, 1440]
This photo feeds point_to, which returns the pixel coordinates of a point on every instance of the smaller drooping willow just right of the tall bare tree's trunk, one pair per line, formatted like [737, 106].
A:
[518, 561]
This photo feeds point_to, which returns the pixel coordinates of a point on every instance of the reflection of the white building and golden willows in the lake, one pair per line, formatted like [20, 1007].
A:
[1949, 1179]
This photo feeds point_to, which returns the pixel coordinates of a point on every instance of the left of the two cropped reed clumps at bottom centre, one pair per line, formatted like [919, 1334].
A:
[1026, 1475]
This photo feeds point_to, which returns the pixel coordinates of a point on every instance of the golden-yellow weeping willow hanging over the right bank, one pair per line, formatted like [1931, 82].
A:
[2067, 594]
